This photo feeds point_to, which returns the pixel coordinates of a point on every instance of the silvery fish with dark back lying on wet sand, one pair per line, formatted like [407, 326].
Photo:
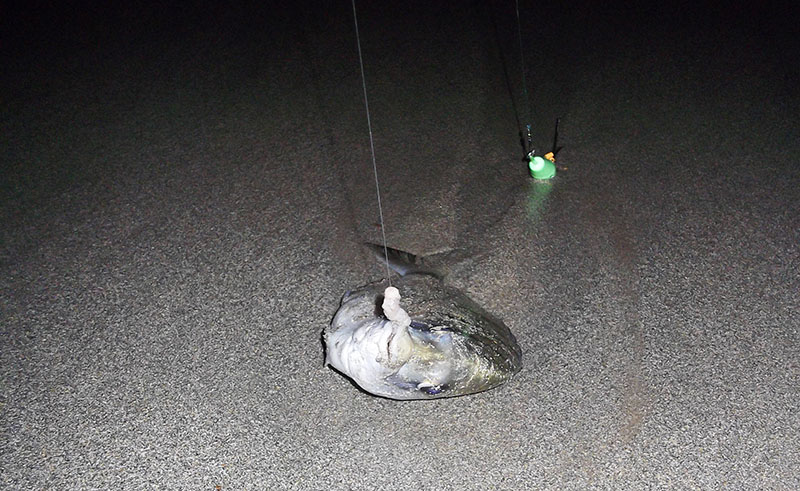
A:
[451, 346]
